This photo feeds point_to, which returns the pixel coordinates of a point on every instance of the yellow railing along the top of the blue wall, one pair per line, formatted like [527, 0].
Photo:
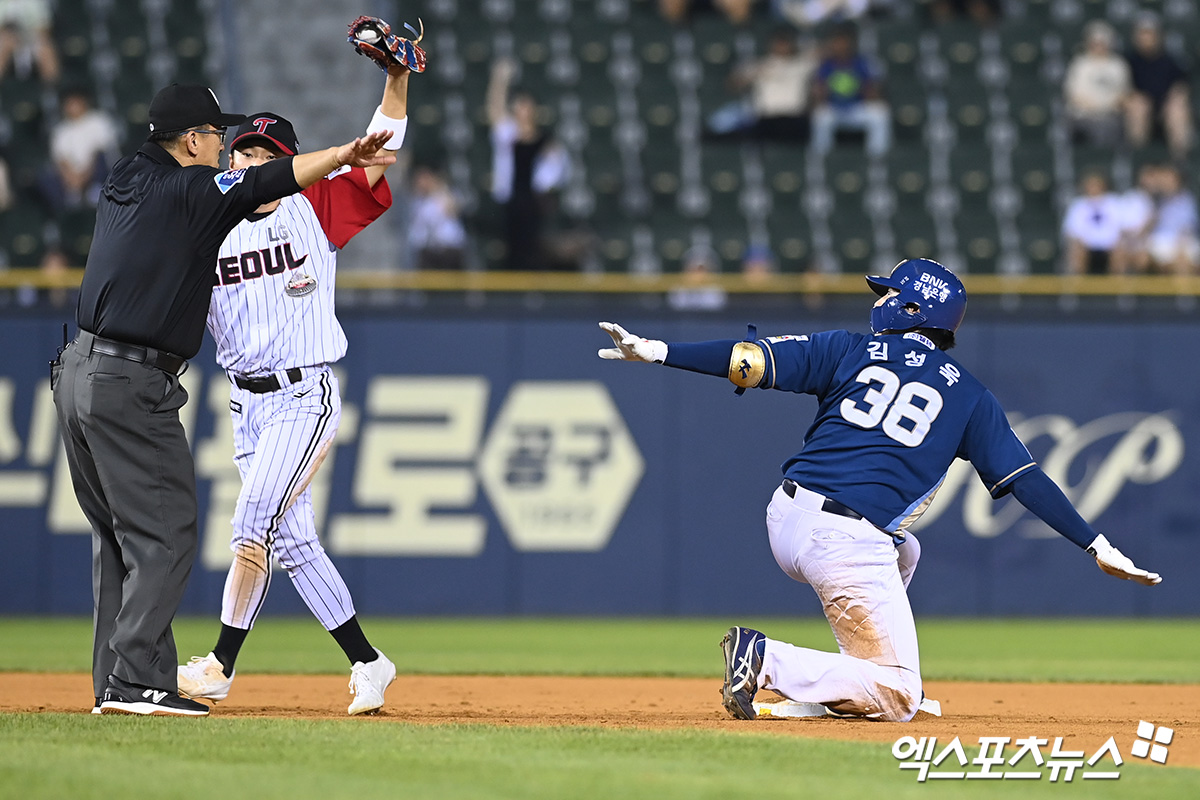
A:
[808, 284]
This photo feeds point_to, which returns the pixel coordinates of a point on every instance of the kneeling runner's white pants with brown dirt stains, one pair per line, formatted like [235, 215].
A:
[861, 578]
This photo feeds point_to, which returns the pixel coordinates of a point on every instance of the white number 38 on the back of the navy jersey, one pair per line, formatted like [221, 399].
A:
[905, 411]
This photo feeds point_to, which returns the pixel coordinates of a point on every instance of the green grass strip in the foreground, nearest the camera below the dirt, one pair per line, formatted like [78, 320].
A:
[75, 756]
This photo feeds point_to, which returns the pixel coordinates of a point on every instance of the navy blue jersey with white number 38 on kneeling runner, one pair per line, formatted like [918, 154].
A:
[896, 412]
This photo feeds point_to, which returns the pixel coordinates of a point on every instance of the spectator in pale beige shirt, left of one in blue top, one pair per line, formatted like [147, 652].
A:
[778, 93]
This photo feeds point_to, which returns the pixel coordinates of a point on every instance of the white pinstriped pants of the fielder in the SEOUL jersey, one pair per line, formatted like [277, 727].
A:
[280, 441]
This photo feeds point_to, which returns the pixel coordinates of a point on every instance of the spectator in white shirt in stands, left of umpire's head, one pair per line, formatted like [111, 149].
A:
[83, 148]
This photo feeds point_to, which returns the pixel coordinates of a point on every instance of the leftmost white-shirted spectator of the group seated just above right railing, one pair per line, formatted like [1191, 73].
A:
[1093, 227]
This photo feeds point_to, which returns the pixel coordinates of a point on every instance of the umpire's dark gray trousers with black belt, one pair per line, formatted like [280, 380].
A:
[136, 483]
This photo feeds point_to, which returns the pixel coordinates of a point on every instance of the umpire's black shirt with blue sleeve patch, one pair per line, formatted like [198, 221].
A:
[159, 227]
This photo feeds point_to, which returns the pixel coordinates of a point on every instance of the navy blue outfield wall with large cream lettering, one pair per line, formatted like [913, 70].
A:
[499, 467]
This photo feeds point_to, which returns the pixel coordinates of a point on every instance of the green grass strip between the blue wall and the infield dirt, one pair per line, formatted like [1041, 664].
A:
[1142, 651]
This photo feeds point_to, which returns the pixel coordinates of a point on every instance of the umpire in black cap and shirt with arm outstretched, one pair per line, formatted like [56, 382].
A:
[163, 216]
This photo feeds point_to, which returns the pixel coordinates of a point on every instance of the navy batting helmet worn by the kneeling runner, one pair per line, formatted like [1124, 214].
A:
[929, 296]
